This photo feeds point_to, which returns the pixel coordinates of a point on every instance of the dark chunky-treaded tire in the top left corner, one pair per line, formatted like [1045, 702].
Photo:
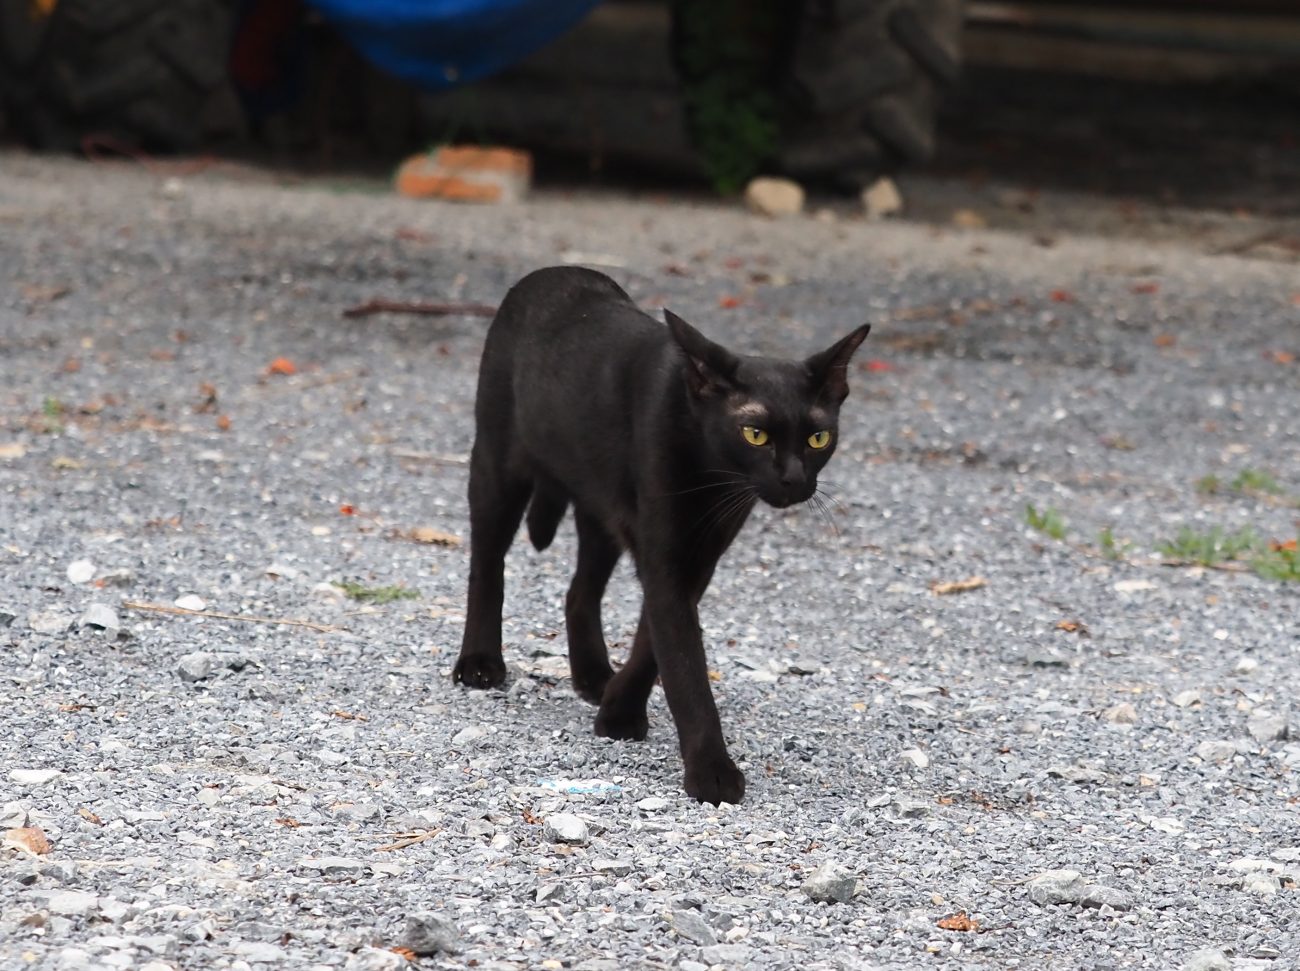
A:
[140, 72]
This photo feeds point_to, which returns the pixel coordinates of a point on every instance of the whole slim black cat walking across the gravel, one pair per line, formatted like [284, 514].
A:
[586, 401]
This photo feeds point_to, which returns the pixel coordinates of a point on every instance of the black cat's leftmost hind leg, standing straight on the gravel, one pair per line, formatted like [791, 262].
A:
[497, 500]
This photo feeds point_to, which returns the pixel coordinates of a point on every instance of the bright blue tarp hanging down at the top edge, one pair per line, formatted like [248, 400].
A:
[440, 44]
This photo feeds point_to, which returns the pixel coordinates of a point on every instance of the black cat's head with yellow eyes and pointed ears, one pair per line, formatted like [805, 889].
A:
[774, 423]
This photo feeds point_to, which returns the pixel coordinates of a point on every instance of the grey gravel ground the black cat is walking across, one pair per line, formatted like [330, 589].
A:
[232, 795]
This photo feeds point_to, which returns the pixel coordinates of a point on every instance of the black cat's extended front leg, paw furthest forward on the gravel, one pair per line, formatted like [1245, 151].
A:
[679, 652]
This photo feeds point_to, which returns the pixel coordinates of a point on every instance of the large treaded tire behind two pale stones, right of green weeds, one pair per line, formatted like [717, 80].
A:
[864, 85]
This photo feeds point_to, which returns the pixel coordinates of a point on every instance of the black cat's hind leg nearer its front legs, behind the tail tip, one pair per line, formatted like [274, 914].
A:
[590, 658]
